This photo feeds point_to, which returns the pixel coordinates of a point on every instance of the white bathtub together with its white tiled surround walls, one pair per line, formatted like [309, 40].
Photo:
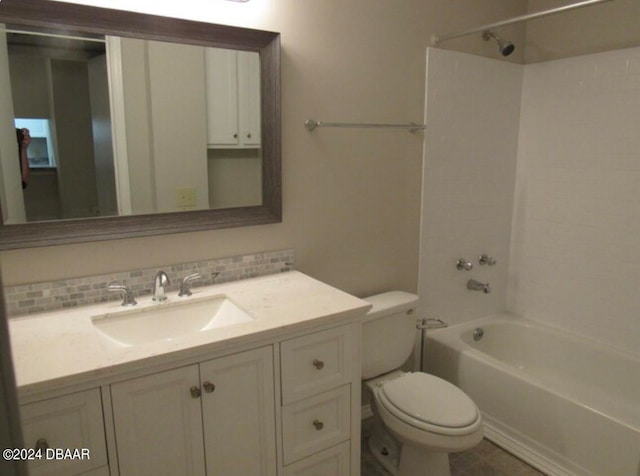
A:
[565, 236]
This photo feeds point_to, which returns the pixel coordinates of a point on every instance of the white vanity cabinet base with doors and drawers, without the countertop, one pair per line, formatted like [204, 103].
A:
[289, 407]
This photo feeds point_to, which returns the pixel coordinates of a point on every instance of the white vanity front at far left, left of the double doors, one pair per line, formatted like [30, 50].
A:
[72, 422]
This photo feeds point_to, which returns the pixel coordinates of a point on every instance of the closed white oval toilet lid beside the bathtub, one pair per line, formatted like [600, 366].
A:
[430, 400]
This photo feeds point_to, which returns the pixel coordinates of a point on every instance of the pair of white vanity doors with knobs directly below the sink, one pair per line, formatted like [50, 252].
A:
[212, 418]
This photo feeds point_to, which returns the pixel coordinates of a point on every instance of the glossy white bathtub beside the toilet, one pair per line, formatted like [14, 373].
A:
[565, 404]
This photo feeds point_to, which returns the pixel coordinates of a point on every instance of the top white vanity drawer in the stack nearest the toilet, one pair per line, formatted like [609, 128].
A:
[314, 363]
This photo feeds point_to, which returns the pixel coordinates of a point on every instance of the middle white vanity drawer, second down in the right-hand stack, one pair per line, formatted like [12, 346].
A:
[316, 423]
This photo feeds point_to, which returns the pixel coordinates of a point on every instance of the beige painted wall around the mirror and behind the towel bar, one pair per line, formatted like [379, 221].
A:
[351, 198]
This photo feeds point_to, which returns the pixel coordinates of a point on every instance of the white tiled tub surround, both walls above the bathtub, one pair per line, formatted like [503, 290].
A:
[572, 126]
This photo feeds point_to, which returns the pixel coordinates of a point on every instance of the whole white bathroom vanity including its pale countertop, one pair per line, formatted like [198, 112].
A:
[278, 395]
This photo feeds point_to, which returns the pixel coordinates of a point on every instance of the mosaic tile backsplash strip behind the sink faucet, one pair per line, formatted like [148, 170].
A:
[57, 295]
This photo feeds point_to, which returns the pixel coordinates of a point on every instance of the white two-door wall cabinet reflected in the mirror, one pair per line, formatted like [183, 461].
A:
[233, 98]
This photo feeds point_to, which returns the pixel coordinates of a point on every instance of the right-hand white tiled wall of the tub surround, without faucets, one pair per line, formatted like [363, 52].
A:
[576, 247]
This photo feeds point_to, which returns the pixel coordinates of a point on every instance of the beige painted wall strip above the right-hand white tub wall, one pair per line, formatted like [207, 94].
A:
[603, 27]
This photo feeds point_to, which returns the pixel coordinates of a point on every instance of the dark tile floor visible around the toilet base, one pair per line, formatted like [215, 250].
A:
[486, 459]
